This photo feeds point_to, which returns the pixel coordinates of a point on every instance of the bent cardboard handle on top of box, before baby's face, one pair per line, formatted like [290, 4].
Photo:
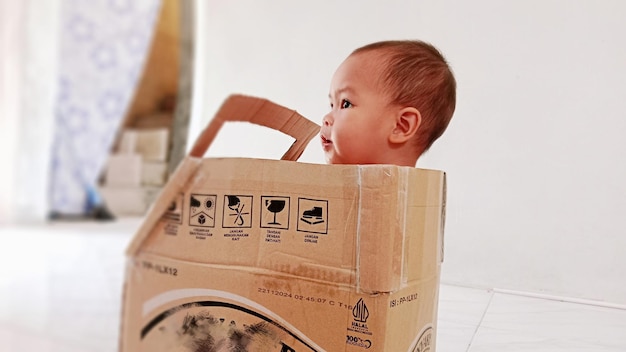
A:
[261, 112]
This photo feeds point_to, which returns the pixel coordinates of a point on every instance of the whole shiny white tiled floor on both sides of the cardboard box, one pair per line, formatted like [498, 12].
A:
[60, 290]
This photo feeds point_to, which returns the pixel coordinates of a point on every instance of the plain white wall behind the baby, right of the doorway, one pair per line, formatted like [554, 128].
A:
[535, 152]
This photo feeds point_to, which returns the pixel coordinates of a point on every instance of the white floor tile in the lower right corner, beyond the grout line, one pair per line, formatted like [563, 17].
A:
[515, 323]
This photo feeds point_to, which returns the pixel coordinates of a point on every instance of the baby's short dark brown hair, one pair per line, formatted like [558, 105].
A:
[418, 75]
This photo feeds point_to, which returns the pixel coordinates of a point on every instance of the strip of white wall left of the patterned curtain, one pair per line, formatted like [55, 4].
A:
[28, 82]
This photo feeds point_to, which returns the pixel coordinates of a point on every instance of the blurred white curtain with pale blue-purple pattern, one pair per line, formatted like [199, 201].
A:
[103, 46]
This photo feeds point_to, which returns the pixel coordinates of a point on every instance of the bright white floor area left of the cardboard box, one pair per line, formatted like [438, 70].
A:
[64, 288]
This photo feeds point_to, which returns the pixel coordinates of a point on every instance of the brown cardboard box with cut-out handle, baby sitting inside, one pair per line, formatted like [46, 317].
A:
[266, 255]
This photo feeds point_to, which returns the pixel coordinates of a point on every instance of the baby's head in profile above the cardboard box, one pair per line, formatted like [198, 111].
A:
[389, 102]
